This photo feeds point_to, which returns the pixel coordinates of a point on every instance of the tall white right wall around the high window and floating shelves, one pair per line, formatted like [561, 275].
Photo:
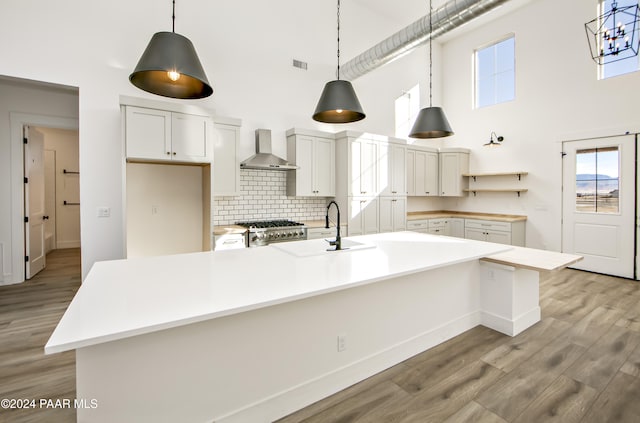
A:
[558, 97]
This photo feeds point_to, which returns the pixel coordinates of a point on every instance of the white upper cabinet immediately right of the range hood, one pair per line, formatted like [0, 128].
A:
[315, 155]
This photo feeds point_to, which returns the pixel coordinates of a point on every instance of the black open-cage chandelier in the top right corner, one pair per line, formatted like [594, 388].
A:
[613, 35]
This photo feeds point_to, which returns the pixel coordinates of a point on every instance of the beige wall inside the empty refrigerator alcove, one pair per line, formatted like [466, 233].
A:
[164, 209]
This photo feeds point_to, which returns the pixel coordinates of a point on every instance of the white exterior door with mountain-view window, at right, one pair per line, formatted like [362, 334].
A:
[598, 204]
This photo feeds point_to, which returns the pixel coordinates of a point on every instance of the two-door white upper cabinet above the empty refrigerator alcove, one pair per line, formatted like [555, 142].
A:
[160, 135]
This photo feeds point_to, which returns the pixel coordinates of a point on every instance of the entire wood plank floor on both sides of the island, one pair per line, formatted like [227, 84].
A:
[581, 363]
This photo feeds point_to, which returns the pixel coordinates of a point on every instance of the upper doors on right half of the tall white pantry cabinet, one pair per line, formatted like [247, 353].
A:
[393, 169]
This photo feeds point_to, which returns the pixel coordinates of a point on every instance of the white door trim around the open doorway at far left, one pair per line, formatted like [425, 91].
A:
[16, 122]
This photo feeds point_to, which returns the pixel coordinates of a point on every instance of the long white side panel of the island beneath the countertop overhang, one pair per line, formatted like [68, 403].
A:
[264, 364]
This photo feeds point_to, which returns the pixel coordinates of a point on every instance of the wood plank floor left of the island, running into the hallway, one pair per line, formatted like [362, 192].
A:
[28, 314]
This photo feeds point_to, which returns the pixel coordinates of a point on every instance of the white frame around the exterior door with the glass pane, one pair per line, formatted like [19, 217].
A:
[636, 219]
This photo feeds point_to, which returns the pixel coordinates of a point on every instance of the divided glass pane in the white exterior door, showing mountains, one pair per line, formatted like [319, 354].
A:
[597, 180]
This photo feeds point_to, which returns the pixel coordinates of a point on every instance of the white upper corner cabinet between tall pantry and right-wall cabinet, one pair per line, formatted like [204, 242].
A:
[422, 171]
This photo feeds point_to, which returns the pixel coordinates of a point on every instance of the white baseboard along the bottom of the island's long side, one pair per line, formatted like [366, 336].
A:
[300, 396]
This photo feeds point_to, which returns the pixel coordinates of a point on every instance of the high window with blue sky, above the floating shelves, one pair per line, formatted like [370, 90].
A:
[495, 73]
